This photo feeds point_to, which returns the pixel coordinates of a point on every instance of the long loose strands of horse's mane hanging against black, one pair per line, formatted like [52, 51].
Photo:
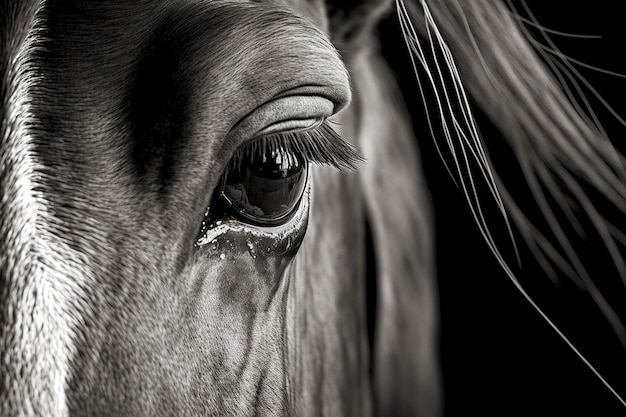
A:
[567, 160]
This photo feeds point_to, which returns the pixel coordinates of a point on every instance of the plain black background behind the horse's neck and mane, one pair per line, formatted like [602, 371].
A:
[498, 356]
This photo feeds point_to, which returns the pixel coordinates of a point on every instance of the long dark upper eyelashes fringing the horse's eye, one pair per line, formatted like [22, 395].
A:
[321, 145]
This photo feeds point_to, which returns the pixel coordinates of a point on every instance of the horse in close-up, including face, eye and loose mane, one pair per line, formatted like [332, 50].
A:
[218, 207]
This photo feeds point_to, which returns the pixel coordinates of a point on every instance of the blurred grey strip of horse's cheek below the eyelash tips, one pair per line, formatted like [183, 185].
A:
[326, 327]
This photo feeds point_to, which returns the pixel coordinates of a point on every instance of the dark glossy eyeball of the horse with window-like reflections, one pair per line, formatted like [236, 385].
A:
[265, 187]
